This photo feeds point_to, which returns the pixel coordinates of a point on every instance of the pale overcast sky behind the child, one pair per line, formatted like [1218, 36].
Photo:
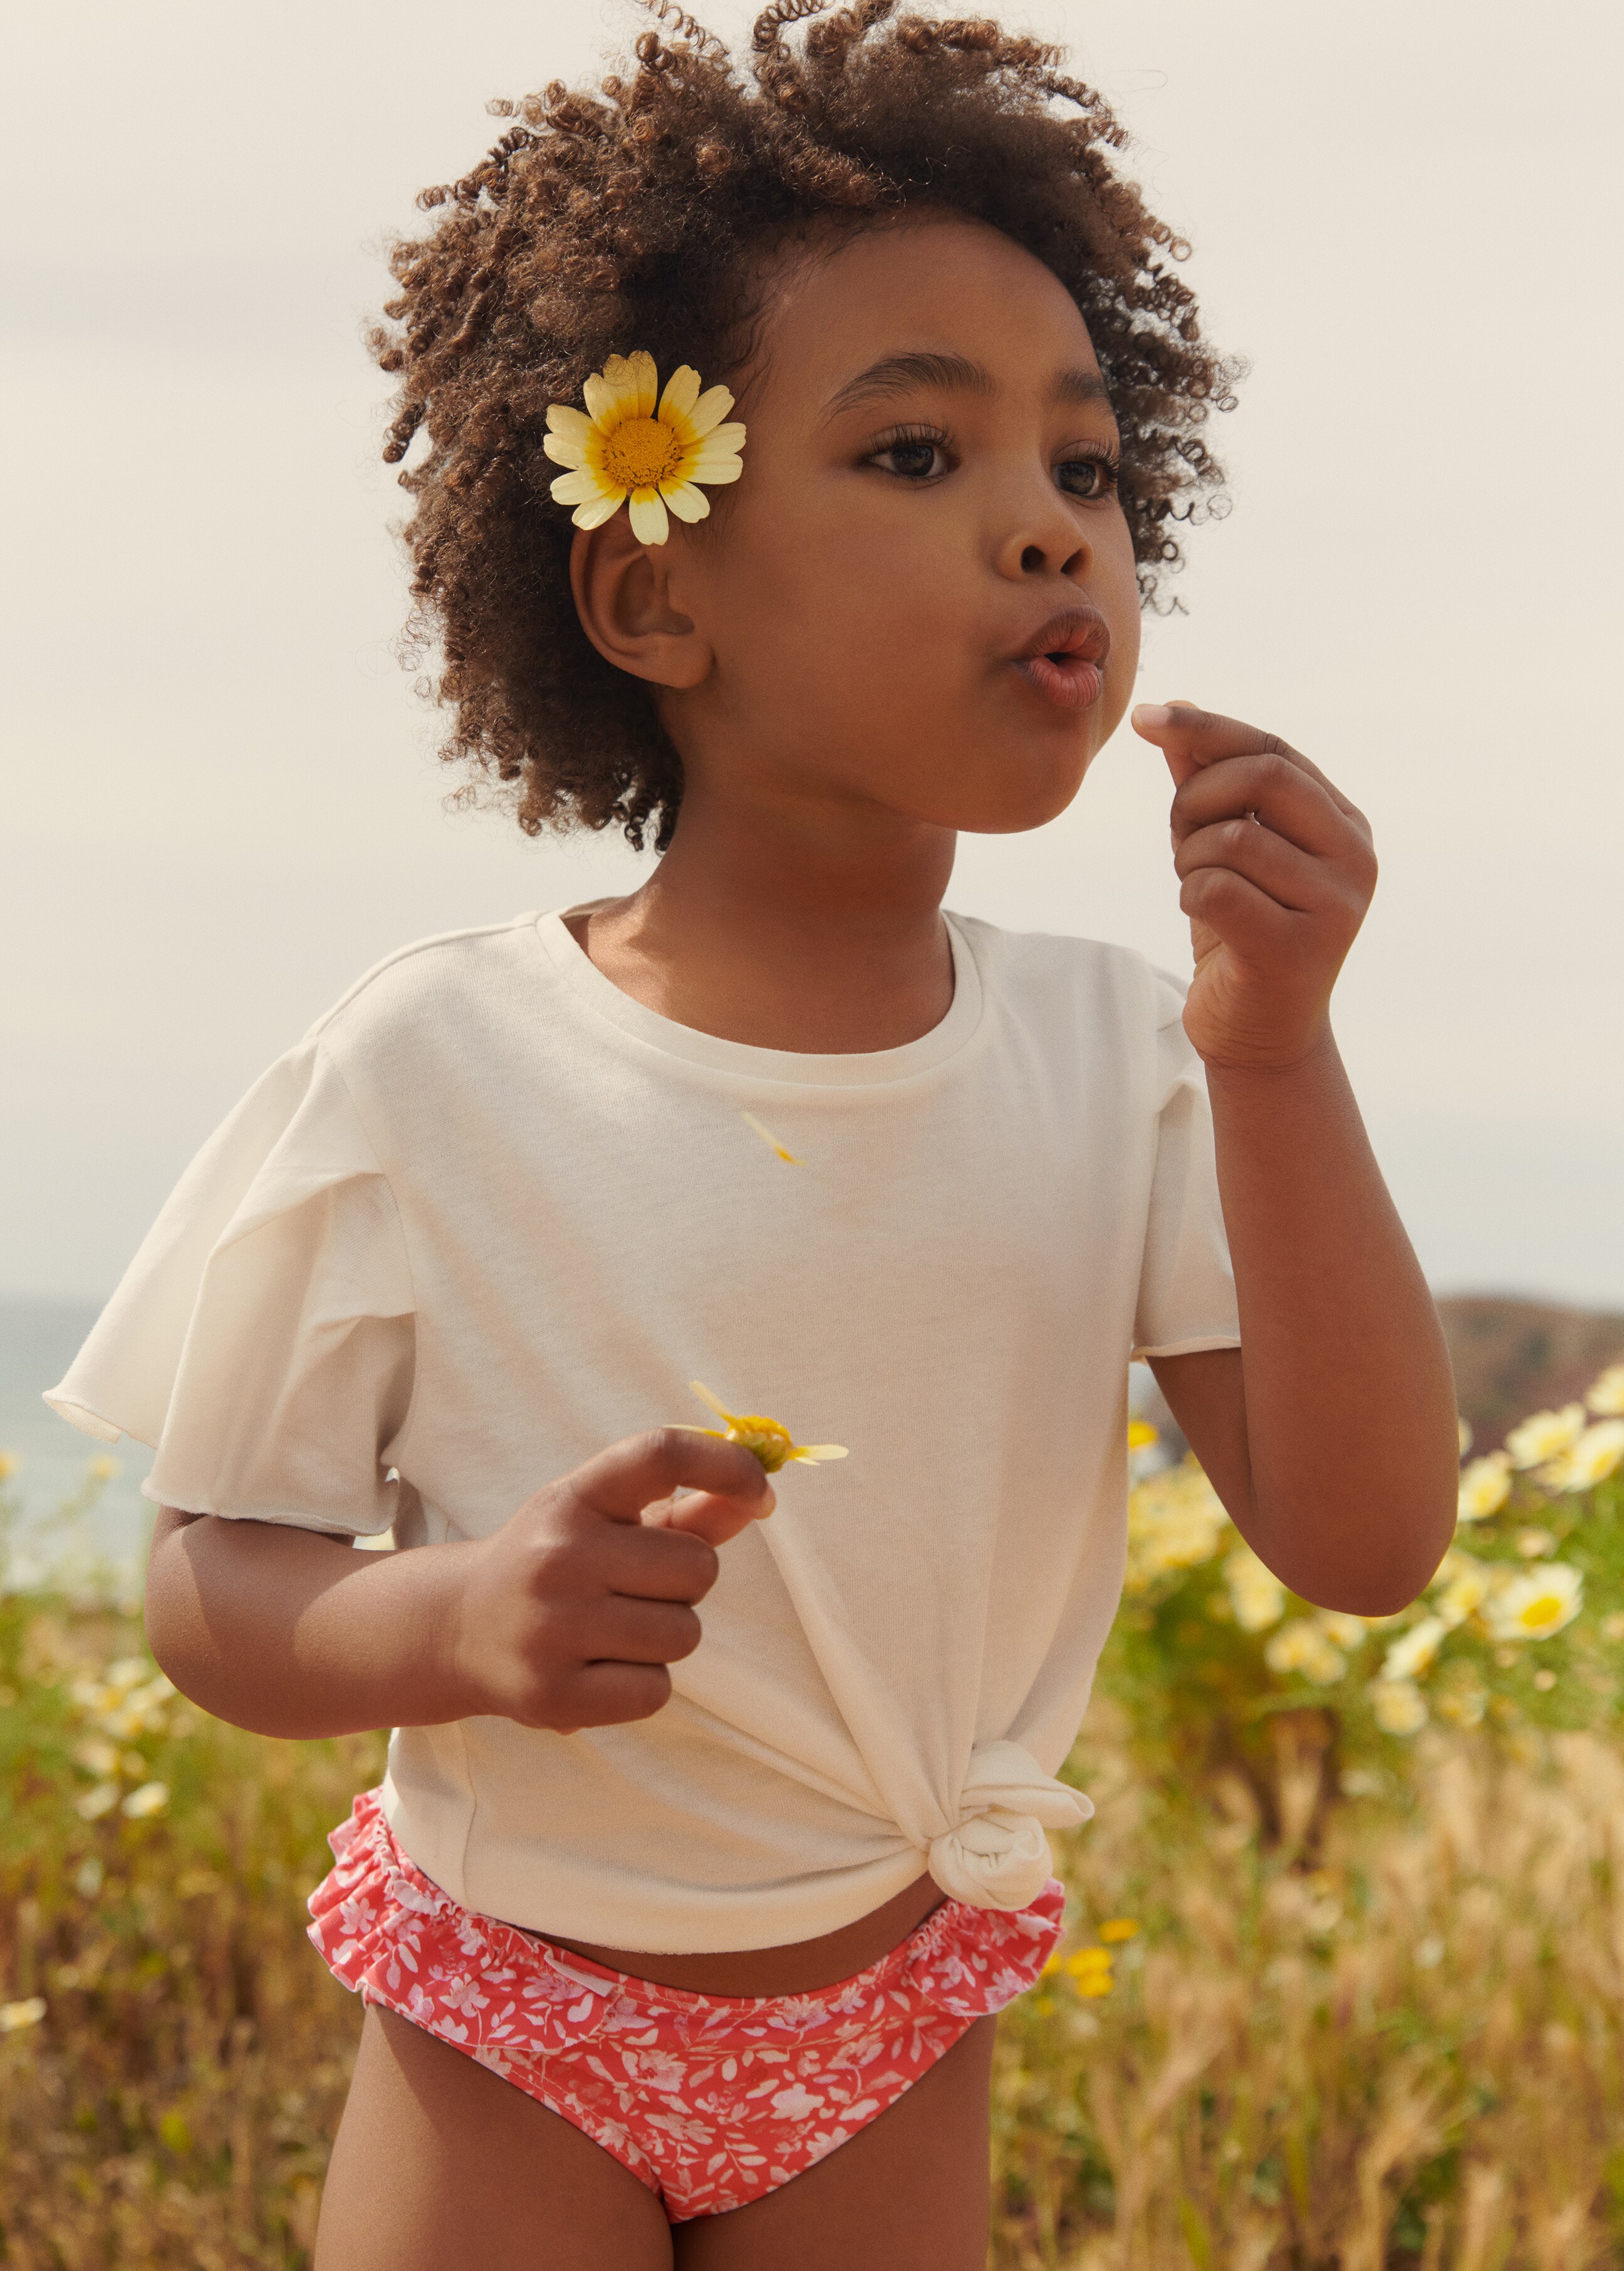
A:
[221, 801]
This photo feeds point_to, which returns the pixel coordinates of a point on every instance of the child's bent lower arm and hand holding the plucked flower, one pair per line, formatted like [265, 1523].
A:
[564, 1618]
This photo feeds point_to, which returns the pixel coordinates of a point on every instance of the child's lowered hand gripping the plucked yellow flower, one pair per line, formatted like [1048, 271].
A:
[571, 1614]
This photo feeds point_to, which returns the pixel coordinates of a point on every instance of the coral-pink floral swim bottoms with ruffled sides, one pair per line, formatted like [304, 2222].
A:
[710, 2100]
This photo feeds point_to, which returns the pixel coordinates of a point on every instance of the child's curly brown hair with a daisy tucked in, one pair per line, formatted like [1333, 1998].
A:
[630, 219]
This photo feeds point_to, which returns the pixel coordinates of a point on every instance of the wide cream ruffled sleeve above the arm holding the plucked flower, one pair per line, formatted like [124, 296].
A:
[262, 1341]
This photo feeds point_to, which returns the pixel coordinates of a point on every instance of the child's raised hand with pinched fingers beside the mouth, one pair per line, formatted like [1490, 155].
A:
[1278, 871]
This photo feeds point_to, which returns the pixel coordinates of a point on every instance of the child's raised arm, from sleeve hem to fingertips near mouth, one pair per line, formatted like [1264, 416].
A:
[1332, 1432]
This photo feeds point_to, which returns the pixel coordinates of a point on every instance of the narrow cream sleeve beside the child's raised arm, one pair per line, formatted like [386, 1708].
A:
[1187, 1296]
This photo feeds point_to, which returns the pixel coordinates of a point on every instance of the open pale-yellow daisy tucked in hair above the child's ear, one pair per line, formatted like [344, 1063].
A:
[628, 446]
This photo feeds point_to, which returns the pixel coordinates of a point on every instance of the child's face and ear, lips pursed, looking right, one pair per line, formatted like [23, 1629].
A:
[921, 594]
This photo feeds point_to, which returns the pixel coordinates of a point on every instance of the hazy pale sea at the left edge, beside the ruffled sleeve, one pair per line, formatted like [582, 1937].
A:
[37, 1346]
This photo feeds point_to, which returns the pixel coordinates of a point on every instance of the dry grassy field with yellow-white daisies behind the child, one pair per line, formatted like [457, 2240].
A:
[1343, 1981]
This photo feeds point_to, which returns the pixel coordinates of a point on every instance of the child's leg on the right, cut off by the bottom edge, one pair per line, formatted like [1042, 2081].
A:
[910, 2193]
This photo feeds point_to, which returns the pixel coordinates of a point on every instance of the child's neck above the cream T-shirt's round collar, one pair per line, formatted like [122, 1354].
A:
[801, 928]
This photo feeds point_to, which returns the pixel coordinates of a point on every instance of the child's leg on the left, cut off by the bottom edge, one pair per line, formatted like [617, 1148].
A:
[442, 2163]
